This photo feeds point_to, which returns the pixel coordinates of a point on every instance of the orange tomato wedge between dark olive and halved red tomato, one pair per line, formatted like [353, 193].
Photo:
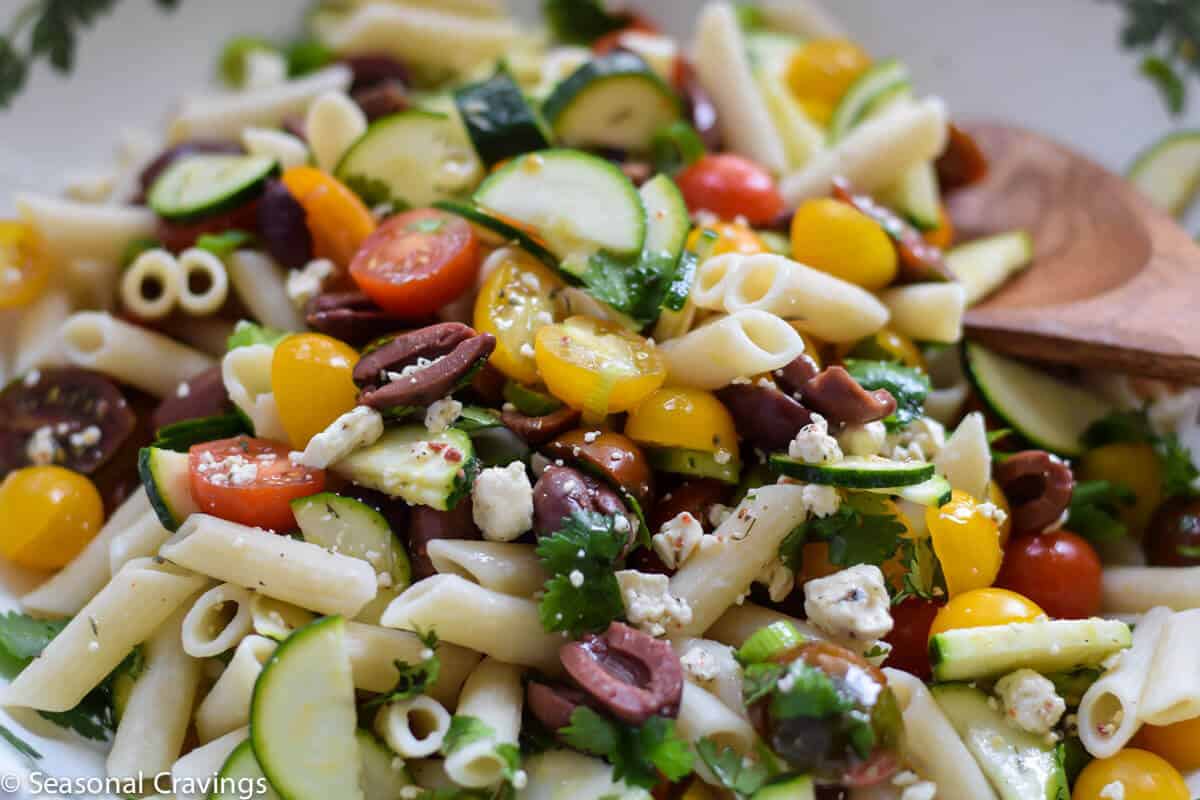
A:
[338, 219]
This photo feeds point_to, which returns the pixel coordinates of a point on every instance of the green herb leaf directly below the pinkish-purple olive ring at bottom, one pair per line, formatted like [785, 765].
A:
[638, 754]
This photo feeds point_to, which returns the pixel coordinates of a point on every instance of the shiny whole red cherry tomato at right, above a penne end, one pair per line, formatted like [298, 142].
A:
[1059, 572]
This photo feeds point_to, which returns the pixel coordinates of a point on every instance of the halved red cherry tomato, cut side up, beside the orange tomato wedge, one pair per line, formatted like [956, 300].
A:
[418, 262]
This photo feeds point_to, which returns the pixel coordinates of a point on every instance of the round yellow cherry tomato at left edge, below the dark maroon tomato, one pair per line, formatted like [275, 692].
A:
[47, 516]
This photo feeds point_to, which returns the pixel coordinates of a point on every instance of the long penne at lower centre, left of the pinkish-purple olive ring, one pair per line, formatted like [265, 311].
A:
[499, 625]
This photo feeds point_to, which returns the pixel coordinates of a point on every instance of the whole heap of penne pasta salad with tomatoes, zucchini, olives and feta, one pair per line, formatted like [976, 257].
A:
[454, 410]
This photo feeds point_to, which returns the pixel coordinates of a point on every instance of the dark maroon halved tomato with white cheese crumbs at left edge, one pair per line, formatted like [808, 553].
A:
[68, 417]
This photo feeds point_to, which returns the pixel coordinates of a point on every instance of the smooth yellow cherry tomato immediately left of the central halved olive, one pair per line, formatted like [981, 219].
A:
[311, 378]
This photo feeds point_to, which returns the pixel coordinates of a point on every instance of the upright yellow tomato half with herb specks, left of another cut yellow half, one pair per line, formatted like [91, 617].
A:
[517, 299]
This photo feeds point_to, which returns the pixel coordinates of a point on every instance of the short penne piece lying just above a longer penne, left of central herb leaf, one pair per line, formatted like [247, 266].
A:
[502, 567]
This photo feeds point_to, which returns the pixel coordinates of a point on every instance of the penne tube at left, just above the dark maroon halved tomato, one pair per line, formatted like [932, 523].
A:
[130, 354]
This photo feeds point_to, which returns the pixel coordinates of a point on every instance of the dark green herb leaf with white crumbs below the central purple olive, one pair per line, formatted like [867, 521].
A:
[587, 546]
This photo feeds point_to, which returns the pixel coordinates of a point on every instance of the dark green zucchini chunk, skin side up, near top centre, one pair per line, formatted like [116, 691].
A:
[499, 119]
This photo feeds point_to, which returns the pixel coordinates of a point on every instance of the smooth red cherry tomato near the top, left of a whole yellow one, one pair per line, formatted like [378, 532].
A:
[730, 187]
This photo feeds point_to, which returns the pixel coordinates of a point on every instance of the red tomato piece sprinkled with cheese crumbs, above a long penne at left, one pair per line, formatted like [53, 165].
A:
[251, 482]
